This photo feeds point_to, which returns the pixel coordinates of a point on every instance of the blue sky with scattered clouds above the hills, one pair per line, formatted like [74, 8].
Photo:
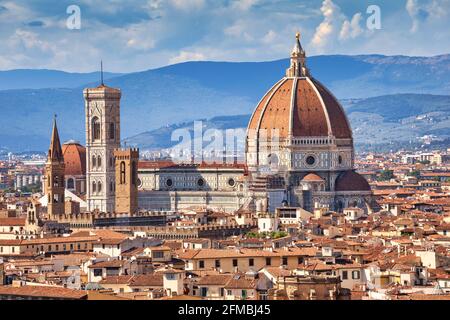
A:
[136, 35]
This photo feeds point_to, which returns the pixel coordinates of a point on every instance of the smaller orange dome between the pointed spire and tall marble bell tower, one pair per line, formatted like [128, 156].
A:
[74, 158]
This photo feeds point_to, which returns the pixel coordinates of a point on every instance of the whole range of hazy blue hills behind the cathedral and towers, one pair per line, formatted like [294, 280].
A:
[154, 100]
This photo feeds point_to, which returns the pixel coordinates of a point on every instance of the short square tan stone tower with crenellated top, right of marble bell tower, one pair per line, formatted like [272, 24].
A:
[126, 180]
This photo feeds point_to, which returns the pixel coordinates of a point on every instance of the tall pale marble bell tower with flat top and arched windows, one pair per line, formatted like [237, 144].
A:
[102, 106]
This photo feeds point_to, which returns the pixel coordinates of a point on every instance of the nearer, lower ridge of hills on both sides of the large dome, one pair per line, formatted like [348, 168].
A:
[382, 122]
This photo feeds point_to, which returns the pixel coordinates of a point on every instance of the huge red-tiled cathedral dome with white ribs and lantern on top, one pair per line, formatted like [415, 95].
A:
[300, 106]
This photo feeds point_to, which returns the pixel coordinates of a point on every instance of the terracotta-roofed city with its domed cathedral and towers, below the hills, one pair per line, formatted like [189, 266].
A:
[304, 217]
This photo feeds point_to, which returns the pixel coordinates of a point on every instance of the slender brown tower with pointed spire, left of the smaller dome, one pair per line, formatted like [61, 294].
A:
[54, 172]
